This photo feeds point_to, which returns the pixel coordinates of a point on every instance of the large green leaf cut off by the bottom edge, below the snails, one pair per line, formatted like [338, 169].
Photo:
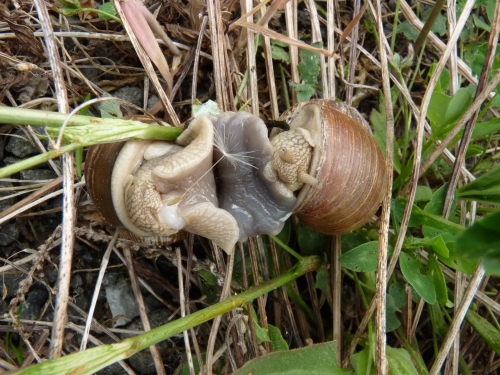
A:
[312, 360]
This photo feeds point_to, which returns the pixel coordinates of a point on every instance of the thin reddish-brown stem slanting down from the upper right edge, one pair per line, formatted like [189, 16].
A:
[464, 143]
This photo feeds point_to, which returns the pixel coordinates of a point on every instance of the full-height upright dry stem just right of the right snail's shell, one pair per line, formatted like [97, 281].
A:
[381, 286]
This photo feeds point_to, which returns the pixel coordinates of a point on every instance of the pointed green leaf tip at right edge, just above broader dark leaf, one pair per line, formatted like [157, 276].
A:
[484, 189]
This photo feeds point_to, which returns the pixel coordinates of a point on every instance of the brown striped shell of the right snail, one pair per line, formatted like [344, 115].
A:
[348, 163]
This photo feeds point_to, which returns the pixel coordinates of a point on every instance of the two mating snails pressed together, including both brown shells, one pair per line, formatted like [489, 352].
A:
[327, 169]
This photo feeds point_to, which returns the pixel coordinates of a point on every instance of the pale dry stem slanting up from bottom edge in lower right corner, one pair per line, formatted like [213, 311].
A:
[454, 328]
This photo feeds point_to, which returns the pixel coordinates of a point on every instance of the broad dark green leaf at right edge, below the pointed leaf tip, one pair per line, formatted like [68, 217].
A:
[482, 239]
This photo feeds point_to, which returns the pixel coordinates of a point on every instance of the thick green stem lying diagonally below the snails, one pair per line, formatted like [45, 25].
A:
[94, 359]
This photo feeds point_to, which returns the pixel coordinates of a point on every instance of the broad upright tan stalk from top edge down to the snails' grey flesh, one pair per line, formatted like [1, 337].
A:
[221, 79]
